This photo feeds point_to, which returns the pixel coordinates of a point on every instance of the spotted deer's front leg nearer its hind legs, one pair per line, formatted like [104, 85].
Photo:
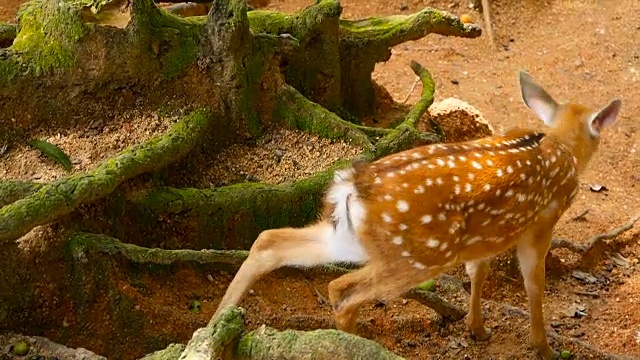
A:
[478, 271]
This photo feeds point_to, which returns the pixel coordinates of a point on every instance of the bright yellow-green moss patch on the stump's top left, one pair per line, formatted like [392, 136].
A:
[48, 29]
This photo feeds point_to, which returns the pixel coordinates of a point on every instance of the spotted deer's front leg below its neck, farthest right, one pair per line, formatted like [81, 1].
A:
[532, 250]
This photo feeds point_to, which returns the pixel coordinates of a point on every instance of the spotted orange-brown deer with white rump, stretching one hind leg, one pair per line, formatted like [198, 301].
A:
[415, 214]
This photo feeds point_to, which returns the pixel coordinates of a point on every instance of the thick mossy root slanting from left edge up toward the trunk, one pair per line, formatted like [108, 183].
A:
[59, 198]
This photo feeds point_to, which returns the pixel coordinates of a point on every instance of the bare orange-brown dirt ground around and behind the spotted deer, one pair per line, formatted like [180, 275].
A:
[580, 50]
